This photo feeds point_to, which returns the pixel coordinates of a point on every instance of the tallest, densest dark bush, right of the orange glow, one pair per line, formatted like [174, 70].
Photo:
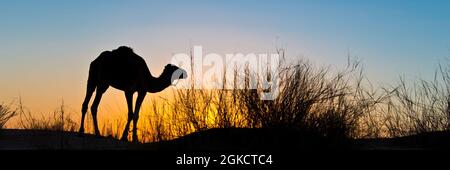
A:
[314, 99]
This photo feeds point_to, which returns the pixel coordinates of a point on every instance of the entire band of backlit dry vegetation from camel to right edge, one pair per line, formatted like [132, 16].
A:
[335, 104]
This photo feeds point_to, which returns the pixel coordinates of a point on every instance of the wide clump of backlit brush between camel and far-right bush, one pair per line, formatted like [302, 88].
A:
[332, 104]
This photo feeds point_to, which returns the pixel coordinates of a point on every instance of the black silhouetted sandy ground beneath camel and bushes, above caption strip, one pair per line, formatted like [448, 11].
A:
[217, 139]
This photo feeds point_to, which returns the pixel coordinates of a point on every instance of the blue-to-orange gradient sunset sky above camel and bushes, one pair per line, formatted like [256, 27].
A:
[46, 45]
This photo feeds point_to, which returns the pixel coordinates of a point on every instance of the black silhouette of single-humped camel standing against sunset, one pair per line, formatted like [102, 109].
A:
[124, 70]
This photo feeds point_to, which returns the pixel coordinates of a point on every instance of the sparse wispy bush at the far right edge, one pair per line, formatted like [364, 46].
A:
[420, 107]
